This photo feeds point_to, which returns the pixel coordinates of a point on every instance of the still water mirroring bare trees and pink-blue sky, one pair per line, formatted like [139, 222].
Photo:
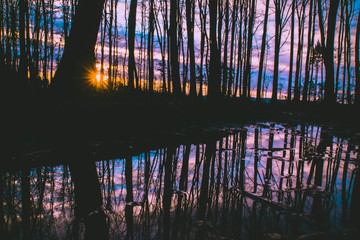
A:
[264, 181]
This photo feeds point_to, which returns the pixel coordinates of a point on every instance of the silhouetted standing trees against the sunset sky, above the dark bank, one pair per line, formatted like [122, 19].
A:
[298, 51]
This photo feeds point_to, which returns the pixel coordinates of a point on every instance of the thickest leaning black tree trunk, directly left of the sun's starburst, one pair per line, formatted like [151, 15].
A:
[76, 69]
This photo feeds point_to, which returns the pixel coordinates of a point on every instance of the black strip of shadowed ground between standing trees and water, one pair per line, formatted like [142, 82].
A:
[141, 121]
